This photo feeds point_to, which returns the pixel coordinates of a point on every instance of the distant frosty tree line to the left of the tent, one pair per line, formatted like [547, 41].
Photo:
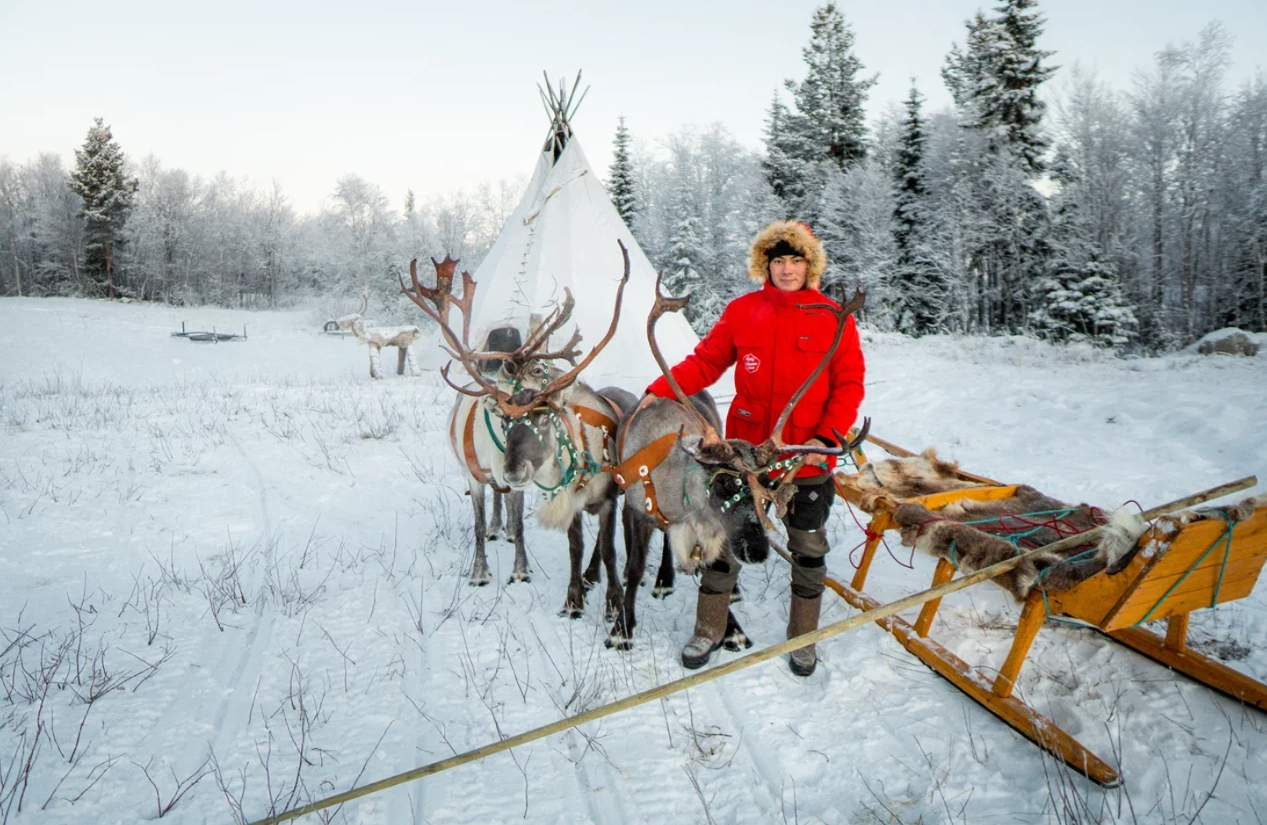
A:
[115, 229]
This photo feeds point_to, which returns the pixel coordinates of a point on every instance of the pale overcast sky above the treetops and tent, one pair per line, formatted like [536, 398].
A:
[442, 96]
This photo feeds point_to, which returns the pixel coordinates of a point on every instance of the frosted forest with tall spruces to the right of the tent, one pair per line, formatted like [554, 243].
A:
[1124, 219]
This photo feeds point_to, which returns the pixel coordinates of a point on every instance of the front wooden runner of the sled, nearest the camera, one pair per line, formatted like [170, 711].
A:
[1021, 717]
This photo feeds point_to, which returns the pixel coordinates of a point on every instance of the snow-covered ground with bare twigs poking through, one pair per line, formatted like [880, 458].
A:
[250, 557]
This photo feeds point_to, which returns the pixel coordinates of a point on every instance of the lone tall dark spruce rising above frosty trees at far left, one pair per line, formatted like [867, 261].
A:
[108, 195]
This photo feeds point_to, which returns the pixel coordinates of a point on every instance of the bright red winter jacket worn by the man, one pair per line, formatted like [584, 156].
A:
[777, 343]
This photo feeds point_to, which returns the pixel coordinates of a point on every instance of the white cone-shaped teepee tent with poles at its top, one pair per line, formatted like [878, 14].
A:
[563, 235]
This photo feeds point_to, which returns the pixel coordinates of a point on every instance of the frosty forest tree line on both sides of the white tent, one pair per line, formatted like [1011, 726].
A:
[1128, 219]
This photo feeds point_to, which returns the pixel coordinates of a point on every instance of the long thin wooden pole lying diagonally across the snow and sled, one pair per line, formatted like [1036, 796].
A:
[774, 652]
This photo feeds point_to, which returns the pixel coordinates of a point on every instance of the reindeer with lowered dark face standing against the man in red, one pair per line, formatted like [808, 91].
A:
[706, 492]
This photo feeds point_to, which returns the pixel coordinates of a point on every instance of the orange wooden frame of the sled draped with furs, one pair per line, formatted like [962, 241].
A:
[1203, 565]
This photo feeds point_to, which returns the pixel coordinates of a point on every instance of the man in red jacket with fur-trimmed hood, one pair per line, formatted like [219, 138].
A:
[776, 340]
